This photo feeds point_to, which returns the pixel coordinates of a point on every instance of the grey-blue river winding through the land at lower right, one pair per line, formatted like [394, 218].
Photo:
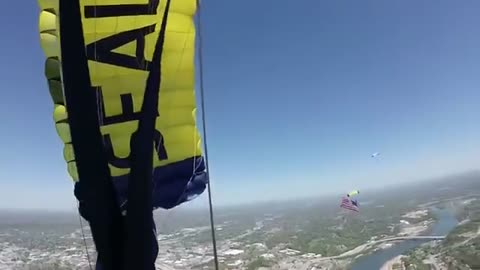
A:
[446, 222]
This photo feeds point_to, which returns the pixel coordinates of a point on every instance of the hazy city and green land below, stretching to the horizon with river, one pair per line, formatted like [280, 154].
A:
[408, 228]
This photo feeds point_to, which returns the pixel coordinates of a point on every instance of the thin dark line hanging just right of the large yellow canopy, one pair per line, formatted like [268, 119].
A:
[204, 128]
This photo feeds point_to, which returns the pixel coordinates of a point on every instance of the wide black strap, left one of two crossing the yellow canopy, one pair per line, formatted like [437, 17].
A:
[95, 190]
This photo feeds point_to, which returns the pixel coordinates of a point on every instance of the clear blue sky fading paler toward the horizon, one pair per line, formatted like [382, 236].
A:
[299, 94]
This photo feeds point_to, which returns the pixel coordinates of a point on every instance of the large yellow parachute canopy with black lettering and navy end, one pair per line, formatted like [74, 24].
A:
[119, 43]
